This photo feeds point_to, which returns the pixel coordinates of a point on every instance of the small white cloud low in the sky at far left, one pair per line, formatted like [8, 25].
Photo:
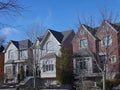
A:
[7, 31]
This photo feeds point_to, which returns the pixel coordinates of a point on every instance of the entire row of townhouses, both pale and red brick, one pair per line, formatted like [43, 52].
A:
[91, 46]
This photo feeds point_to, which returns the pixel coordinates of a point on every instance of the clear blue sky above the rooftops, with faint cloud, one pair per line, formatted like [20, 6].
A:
[58, 15]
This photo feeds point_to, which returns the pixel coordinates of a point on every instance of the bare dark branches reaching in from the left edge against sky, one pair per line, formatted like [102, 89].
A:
[9, 8]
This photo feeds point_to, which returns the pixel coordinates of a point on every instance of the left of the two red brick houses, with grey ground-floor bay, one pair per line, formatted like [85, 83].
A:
[84, 49]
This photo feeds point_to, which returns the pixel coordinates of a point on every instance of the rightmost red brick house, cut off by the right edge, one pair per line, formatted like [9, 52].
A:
[109, 44]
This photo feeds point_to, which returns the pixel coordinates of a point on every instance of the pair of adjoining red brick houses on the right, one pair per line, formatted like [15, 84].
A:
[94, 49]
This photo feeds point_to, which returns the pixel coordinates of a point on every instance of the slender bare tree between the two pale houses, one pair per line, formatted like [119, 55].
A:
[35, 32]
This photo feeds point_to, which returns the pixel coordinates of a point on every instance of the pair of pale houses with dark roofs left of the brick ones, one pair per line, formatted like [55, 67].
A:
[25, 57]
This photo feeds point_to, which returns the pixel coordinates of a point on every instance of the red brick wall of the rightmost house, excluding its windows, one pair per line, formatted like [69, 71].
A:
[112, 49]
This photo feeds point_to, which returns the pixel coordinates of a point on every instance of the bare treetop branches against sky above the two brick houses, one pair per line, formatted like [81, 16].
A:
[93, 21]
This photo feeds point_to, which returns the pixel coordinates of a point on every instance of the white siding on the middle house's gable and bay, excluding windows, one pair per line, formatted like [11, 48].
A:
[56, 46]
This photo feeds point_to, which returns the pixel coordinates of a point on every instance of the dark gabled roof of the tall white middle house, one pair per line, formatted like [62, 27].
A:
[61, 36]
